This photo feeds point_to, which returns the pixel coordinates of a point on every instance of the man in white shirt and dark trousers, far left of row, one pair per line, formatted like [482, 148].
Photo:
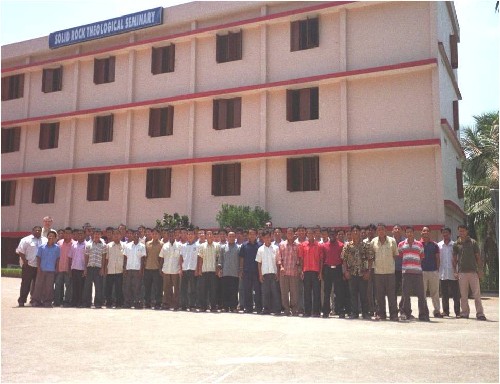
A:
[27, 251]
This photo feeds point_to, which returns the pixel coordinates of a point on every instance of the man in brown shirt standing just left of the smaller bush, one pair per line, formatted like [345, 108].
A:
[152, 272]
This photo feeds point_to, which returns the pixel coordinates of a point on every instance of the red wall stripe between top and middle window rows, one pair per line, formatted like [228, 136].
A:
[199, 95]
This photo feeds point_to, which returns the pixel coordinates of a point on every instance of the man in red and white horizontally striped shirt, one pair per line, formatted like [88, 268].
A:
[412, 252]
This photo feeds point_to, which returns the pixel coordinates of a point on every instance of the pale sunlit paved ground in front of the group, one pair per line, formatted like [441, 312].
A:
[107, 345]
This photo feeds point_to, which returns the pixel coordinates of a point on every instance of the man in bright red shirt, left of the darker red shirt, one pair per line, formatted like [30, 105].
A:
[311, 256]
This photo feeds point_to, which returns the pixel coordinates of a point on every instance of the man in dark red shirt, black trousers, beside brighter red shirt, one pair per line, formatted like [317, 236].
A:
[332, 275]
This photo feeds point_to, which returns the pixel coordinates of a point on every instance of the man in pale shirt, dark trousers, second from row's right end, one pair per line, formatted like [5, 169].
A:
[449, 283]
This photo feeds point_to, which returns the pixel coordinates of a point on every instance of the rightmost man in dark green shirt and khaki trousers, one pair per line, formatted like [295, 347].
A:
[468, 260]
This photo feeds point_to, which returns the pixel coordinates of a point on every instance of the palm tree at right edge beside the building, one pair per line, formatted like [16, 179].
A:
[480, 144]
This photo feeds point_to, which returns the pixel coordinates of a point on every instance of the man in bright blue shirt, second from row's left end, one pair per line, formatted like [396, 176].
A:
[47, 259]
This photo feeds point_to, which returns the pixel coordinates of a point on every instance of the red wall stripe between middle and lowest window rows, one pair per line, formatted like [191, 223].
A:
[227, 158]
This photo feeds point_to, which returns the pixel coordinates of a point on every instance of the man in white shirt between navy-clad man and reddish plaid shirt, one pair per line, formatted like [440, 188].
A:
[266, 259]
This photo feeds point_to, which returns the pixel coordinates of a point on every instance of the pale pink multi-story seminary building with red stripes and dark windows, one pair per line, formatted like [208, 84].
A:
[329, 113]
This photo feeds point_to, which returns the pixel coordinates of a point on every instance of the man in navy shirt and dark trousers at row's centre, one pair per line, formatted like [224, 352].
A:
[250, 273]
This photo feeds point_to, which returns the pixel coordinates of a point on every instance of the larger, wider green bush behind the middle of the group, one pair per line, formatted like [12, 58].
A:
[242, 216]
